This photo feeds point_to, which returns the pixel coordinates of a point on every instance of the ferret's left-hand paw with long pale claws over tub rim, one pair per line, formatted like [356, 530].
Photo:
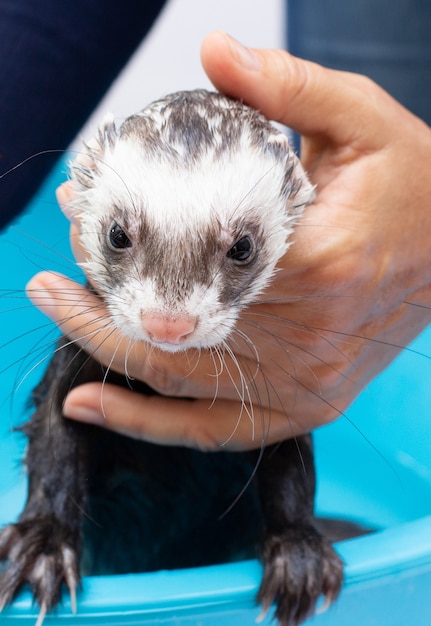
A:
[36, 553]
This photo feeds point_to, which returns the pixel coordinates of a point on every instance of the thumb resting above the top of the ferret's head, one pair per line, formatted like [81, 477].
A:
[313, 100]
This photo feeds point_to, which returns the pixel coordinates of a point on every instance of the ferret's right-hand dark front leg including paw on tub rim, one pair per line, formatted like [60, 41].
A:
[299, 565]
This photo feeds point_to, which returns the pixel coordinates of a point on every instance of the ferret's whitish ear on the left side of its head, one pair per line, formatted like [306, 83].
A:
[85, 167]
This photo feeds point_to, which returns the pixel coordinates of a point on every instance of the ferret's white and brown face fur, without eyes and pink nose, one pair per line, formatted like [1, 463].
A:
[187, 213]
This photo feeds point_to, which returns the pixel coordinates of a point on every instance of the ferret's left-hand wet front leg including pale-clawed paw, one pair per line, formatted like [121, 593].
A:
[43, 547]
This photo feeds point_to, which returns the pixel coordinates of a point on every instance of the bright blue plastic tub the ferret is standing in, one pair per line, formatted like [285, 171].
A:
[374, 467]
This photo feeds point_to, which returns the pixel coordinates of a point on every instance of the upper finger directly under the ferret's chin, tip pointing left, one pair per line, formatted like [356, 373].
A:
[84, 318]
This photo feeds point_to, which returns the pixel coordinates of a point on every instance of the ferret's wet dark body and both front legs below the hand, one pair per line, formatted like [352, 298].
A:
[122, 506]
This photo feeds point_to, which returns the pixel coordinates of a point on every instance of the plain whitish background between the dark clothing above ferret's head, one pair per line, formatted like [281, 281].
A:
[168, 59]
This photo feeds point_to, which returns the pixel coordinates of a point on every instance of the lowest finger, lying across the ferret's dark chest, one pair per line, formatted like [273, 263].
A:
[191, 423]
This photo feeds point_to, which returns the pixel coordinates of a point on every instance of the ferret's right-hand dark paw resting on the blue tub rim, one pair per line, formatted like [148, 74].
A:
[299, 566]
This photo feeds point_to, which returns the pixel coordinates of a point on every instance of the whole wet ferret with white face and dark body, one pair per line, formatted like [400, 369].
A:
[185, 210]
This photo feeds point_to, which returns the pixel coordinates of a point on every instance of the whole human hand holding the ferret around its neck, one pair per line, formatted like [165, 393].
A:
[345, 299]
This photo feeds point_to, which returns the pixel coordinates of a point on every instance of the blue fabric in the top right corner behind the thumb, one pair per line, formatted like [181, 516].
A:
[388, 40]
